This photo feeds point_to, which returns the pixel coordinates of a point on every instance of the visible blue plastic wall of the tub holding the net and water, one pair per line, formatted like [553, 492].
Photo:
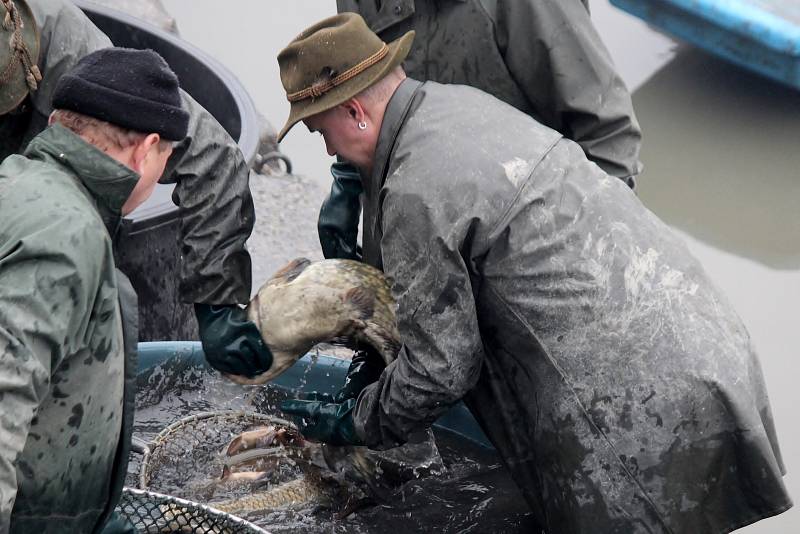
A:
[326, 374]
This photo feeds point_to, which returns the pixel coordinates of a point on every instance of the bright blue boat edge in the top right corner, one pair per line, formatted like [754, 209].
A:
[761, 35]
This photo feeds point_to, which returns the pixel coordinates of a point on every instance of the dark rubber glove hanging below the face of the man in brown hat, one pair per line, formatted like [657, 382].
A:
[340, 214]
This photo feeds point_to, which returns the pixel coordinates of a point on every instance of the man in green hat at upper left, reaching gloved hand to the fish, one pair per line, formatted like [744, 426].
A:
[46, 38]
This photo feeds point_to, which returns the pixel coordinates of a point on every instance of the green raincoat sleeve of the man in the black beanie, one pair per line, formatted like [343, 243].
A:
[44, 300]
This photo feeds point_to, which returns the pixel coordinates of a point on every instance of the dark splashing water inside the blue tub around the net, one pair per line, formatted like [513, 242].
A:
[473, 494]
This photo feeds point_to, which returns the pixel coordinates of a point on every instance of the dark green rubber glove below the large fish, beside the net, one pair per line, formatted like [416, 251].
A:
[330, 423]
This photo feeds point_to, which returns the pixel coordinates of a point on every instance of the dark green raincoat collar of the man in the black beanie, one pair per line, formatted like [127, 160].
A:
[108, 181]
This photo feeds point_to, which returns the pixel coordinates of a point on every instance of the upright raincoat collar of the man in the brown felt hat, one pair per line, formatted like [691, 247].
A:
[393, 119]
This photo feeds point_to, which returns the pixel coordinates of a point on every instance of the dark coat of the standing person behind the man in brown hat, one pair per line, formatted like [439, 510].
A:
[543, 57]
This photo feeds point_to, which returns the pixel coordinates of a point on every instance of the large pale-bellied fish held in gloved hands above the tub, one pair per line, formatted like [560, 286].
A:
[307, 303]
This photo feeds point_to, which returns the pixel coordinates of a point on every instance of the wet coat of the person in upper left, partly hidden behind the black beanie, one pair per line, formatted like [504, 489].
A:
[209, 170]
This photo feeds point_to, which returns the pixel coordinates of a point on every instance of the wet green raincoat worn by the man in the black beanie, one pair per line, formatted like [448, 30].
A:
[66, 373]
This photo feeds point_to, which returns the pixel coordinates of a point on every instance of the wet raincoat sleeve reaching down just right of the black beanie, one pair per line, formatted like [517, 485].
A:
[216, 211]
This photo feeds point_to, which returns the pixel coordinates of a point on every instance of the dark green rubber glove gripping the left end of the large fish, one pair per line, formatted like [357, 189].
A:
[232, 344]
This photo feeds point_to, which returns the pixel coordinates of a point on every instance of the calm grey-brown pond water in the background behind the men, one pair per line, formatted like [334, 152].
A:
[721, 157]
